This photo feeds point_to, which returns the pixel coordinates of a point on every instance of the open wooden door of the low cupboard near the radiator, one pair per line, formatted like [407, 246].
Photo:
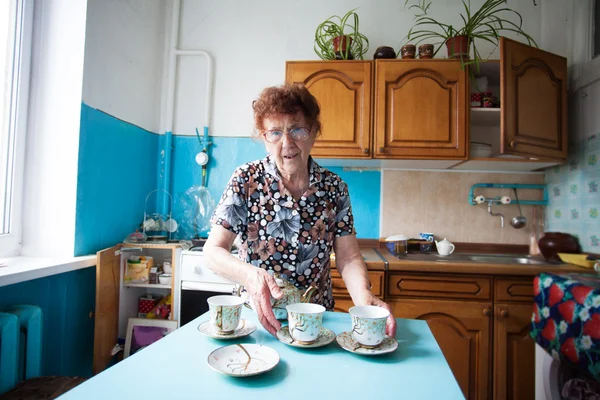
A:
[107, 306]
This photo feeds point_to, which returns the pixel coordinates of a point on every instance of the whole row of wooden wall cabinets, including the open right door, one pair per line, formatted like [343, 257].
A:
[420, 110]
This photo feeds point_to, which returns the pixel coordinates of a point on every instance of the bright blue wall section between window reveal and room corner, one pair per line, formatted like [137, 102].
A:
[117, 169]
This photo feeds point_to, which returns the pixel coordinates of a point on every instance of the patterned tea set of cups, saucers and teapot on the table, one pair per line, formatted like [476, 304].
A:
[304, 330]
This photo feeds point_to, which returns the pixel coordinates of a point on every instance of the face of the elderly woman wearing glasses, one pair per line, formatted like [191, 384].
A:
[291, 156]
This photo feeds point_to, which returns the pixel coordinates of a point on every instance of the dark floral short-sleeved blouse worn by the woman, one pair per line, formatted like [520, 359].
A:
[282, 235]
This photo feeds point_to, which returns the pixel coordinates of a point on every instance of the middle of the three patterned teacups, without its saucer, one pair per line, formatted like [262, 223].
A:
[305, 321]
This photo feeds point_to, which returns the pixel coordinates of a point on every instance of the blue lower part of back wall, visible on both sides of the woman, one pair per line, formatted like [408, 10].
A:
[227, 153]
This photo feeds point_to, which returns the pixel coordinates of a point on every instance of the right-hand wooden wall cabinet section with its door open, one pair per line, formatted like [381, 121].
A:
[530, 125]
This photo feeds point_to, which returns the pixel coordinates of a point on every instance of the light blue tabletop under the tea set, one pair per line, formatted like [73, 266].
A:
[176, 367]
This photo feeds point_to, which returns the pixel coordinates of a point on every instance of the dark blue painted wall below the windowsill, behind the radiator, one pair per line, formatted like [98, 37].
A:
[68, 332]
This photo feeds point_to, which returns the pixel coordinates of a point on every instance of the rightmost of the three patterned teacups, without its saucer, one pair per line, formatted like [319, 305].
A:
[368, 325]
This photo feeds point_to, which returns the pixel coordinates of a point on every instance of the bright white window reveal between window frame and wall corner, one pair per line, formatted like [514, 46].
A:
[53, 128]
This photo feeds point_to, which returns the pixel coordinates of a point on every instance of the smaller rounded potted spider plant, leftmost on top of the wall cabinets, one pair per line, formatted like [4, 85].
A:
[338, 38]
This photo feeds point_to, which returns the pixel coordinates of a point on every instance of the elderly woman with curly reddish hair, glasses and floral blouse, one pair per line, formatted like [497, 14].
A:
[289, 212]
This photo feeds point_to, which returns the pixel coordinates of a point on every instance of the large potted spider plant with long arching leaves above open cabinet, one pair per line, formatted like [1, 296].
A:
[485, 23]
